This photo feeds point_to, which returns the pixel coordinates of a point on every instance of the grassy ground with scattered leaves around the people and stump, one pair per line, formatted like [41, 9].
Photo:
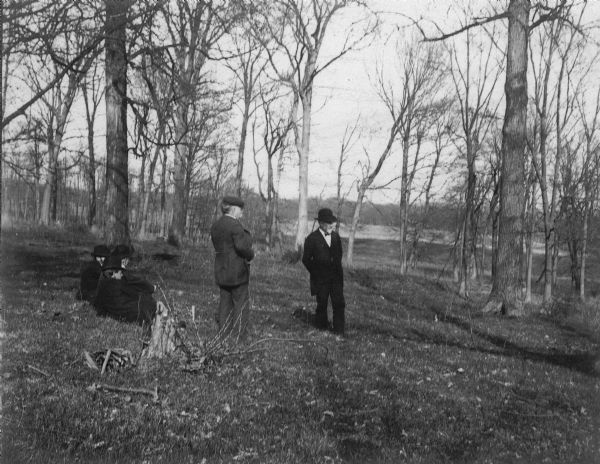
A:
[422, 376]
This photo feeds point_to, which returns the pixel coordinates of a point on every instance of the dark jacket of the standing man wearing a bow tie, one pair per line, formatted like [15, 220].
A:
[324, 263]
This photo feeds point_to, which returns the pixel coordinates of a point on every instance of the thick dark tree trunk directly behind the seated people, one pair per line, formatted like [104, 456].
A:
[117, 175]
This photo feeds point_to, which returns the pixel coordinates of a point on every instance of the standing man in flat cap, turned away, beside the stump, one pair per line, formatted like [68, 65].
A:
[233, 247]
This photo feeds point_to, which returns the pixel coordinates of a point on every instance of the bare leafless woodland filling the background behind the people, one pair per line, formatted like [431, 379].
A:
[134, 118]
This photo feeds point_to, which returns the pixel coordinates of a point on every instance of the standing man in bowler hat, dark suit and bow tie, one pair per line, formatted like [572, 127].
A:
[323, 258]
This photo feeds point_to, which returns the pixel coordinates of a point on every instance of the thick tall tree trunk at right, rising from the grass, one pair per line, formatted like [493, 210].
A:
[506, 283]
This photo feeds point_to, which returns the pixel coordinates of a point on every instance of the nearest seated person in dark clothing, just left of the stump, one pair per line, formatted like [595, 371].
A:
[123, 298]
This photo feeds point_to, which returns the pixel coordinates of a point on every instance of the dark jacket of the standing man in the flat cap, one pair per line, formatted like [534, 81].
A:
[233, 247]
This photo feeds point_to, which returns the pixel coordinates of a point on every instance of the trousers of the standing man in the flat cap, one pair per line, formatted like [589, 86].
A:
[233, 312]
